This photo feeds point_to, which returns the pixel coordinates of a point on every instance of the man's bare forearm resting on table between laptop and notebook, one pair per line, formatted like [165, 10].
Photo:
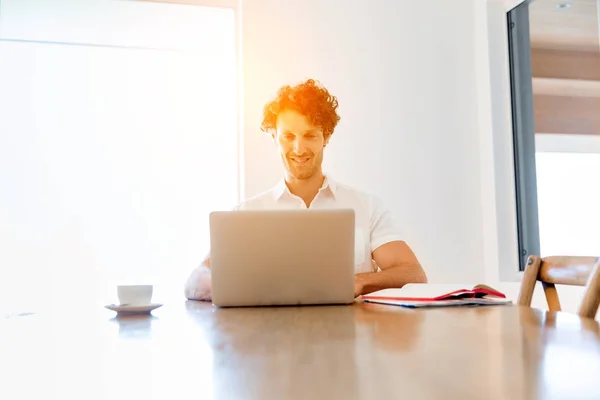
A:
[393, 277]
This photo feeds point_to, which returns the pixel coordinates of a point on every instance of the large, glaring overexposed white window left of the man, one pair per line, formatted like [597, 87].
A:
[111, 159]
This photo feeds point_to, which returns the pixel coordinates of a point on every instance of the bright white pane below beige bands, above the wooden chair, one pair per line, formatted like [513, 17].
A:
[567, 176]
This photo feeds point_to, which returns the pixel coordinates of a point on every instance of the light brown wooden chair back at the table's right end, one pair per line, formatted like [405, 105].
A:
[558, 270]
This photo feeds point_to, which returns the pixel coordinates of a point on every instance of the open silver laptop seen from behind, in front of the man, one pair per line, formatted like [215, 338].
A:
[282, 257]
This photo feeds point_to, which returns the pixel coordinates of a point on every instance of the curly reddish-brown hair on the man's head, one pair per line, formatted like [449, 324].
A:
[310, 99]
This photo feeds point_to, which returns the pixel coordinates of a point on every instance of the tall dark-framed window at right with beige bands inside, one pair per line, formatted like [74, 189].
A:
[555, 82]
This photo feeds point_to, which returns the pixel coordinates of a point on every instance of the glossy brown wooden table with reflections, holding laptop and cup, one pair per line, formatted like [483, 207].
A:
[194, 351]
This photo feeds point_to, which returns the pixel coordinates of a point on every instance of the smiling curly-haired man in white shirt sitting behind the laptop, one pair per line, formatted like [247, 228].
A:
[301, 120]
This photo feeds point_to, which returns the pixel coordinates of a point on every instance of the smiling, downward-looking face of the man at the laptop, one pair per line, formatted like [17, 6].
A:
[300, 144]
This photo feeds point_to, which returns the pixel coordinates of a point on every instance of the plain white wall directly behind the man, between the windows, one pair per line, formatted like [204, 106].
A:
[404, 73]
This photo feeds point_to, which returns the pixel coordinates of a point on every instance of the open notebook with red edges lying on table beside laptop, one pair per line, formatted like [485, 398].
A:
[429, 295]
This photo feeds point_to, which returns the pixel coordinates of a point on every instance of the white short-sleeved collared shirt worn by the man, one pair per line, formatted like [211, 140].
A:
[375, 225]
